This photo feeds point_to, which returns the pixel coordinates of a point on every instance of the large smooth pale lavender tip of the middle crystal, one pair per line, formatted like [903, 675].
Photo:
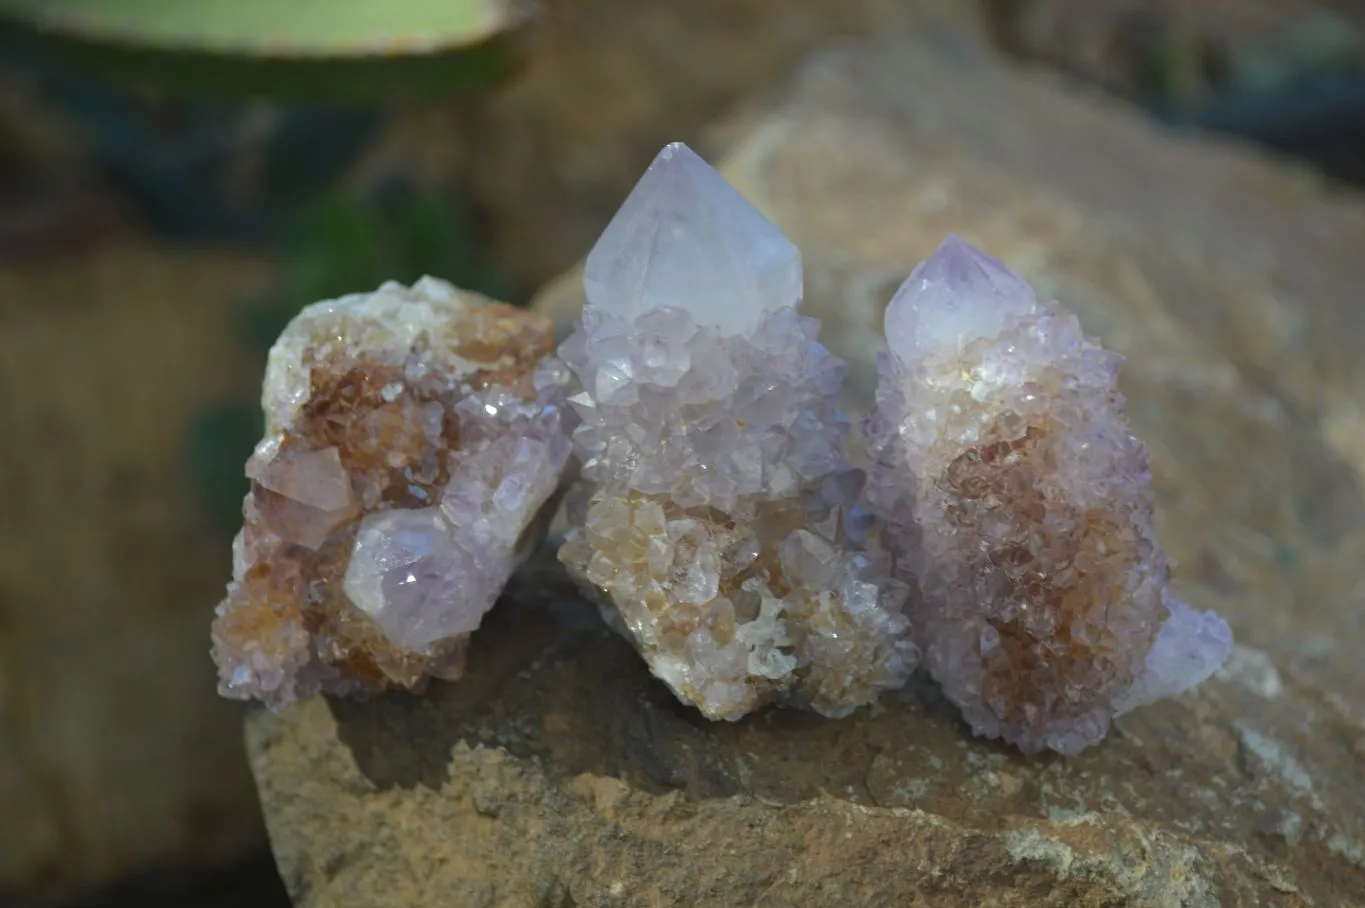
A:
[686, 238]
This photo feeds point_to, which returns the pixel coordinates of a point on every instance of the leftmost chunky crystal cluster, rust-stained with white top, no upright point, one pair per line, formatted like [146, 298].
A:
[414, 444]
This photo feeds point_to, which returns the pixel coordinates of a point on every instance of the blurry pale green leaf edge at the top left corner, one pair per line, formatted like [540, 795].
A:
[353, 51]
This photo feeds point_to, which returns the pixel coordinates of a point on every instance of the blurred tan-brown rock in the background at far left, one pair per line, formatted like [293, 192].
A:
[115, 754]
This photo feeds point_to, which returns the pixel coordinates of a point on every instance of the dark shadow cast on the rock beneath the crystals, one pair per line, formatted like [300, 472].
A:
[549, 681]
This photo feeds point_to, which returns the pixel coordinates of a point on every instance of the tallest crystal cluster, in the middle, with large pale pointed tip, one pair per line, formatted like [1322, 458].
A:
[716, 518]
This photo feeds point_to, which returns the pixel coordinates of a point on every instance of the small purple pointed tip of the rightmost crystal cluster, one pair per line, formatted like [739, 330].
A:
[958, 296]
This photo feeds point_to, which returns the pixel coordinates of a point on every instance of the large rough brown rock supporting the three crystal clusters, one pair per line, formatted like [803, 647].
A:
[556, 774]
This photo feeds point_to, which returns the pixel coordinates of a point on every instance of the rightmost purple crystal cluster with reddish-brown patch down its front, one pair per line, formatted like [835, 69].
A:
[1016, 499]
